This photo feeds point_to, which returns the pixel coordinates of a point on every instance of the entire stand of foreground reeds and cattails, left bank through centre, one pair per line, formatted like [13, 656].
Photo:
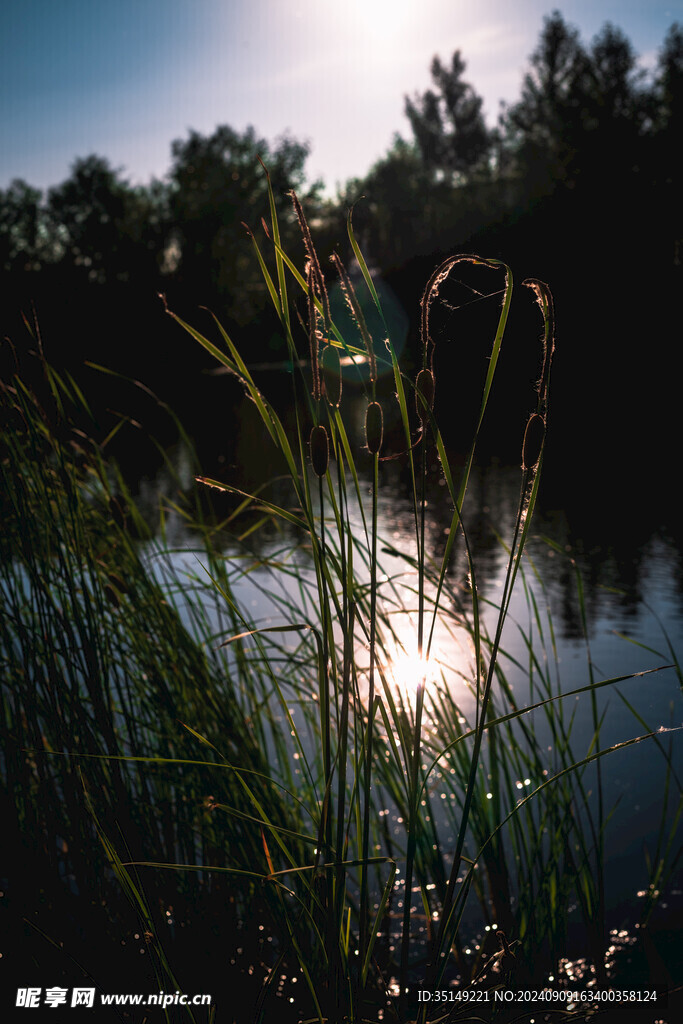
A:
[253, 766]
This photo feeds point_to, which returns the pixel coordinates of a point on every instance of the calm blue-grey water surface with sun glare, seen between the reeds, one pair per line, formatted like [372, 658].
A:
[628, 553]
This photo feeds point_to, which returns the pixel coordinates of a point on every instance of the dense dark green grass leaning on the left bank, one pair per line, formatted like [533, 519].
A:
[110, 671]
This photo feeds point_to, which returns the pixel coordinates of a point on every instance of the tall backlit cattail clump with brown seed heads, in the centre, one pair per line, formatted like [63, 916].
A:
[330, 874]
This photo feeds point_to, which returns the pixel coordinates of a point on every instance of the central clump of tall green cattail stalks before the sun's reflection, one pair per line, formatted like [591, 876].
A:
[367, 740]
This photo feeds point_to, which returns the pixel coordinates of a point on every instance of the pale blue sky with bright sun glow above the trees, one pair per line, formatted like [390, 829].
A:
[124, 78]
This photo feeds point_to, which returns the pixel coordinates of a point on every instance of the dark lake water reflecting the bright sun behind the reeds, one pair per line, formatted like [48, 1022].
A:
[630, 578]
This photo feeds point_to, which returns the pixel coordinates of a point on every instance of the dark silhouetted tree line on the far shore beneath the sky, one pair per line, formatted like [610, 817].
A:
[579, 183]
